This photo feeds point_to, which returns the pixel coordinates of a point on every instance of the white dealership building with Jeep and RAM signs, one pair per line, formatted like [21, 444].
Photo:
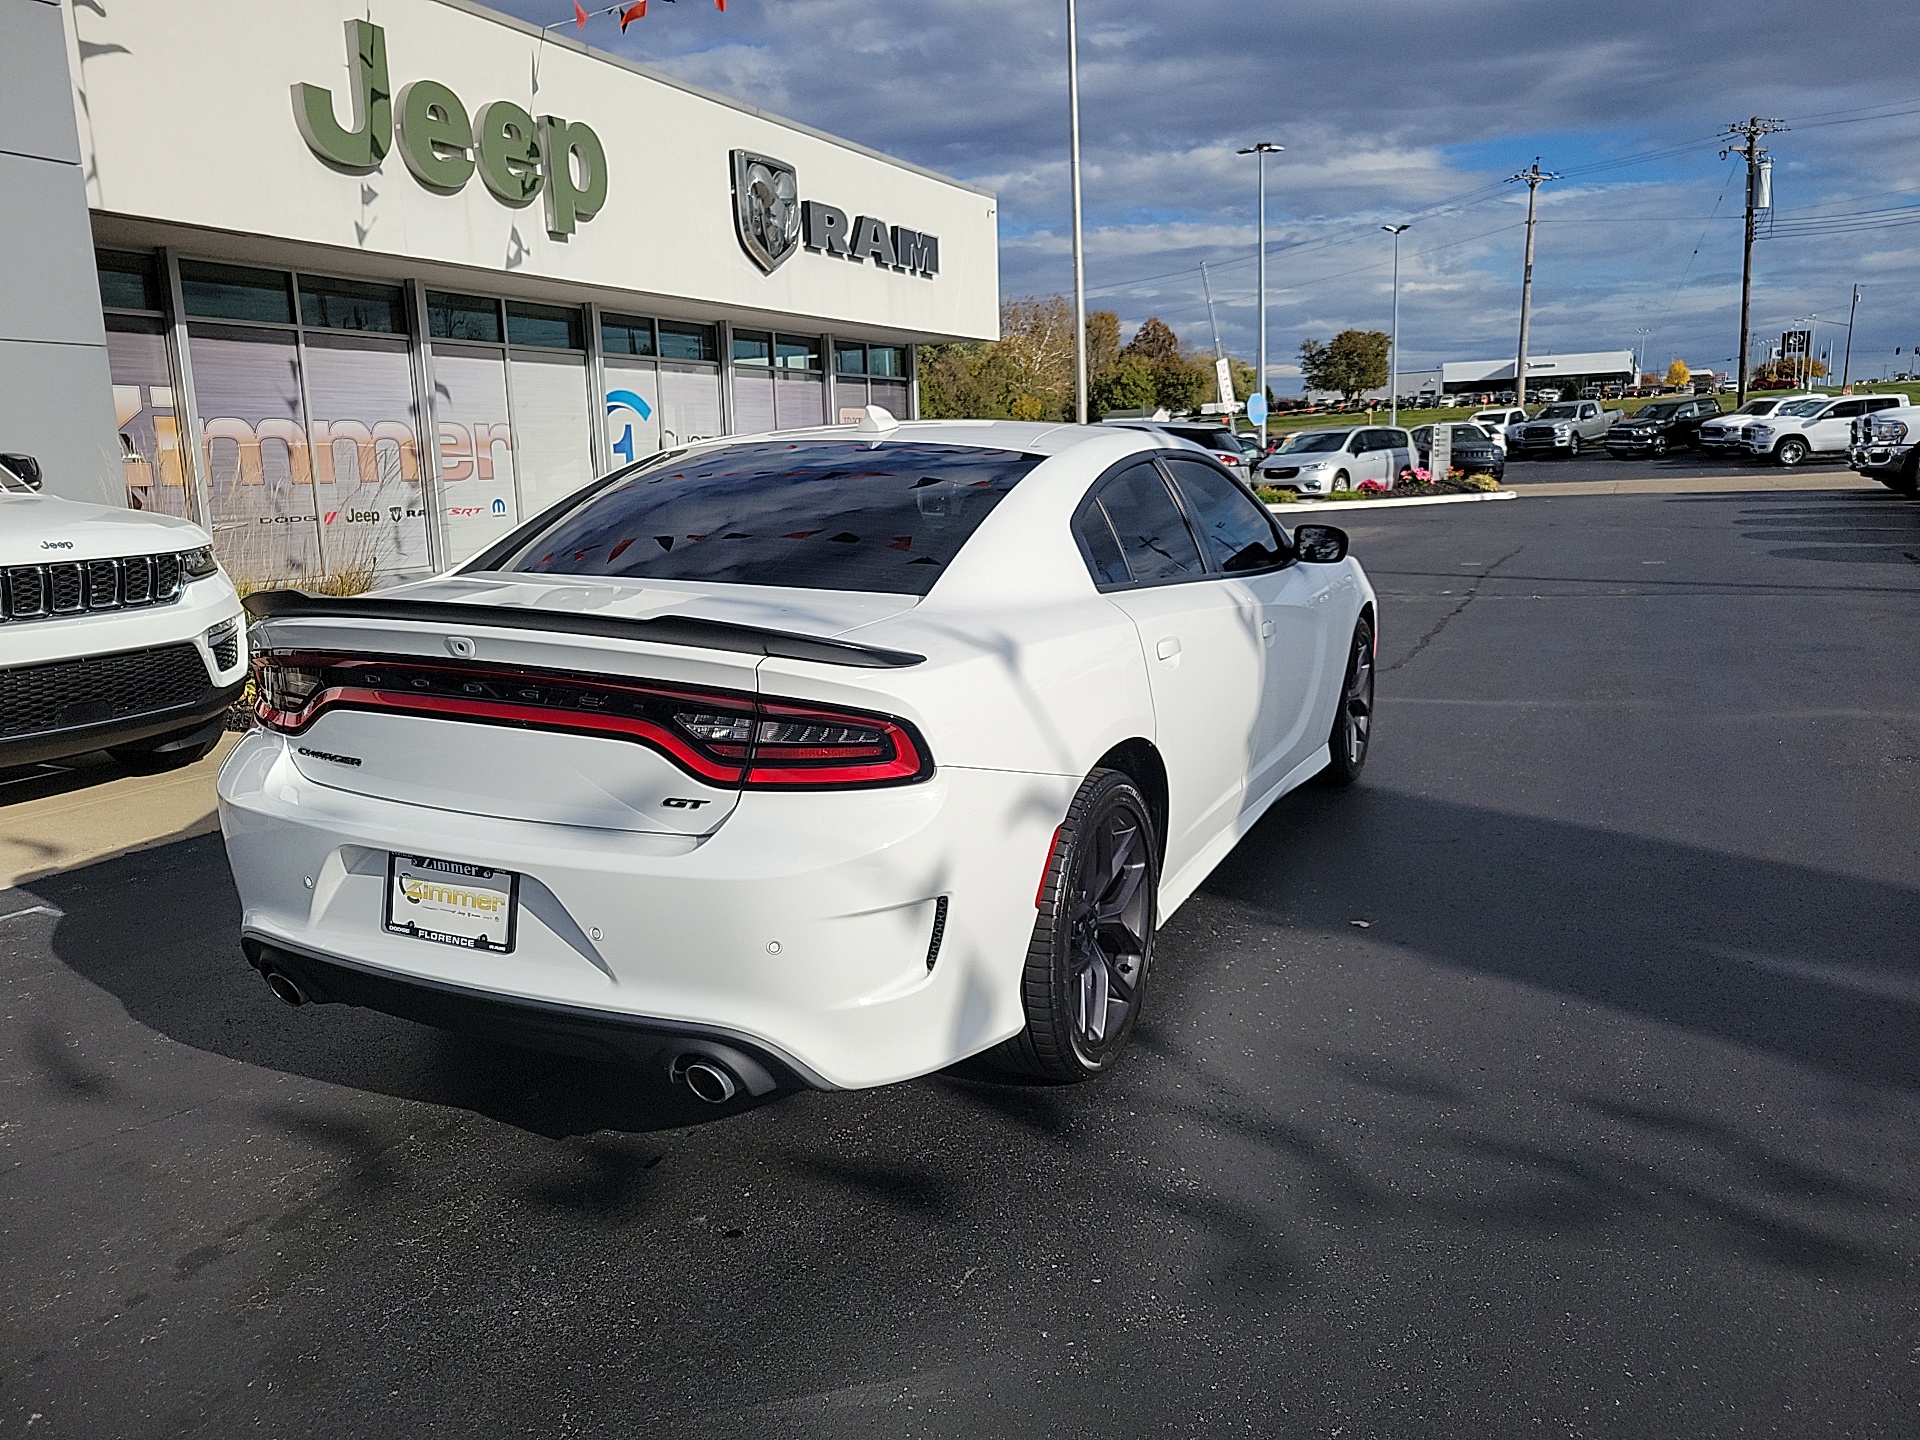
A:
[366, 285]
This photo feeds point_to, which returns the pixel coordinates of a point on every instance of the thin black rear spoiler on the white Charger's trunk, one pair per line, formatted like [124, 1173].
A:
[660, 629]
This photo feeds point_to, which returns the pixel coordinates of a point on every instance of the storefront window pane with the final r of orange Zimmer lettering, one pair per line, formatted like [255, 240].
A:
[477, 481]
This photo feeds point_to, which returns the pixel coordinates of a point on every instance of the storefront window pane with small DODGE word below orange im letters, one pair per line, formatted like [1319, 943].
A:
[260, 475]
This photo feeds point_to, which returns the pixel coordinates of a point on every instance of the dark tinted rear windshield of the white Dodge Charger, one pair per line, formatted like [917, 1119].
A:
[823, 516]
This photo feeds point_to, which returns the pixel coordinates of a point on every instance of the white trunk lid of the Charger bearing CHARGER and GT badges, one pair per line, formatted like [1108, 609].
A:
[540, 723]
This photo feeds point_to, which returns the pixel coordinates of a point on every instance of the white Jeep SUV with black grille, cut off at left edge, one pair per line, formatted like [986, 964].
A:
[118, 631]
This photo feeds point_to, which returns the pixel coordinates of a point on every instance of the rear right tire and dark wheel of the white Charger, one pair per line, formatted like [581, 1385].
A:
[1093, 940]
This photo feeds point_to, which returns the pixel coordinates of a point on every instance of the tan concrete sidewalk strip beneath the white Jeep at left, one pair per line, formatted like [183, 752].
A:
[89, 809]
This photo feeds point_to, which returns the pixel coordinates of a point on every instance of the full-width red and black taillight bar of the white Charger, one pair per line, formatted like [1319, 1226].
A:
[715, 736]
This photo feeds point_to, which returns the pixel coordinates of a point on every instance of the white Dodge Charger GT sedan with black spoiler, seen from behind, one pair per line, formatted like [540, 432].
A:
[825, 759]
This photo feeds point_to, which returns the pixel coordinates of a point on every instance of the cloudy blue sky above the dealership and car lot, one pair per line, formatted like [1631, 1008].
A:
[1391, 112]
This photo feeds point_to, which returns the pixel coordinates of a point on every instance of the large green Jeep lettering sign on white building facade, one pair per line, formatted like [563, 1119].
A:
[517, 156]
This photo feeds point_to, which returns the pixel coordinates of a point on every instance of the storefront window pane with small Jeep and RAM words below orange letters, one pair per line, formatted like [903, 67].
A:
[364, 439]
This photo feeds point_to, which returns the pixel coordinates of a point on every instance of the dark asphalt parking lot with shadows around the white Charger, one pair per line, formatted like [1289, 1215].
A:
[1560, 1080]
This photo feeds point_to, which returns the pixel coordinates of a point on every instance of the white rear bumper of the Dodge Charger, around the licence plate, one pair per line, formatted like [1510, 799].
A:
[802, 928]
